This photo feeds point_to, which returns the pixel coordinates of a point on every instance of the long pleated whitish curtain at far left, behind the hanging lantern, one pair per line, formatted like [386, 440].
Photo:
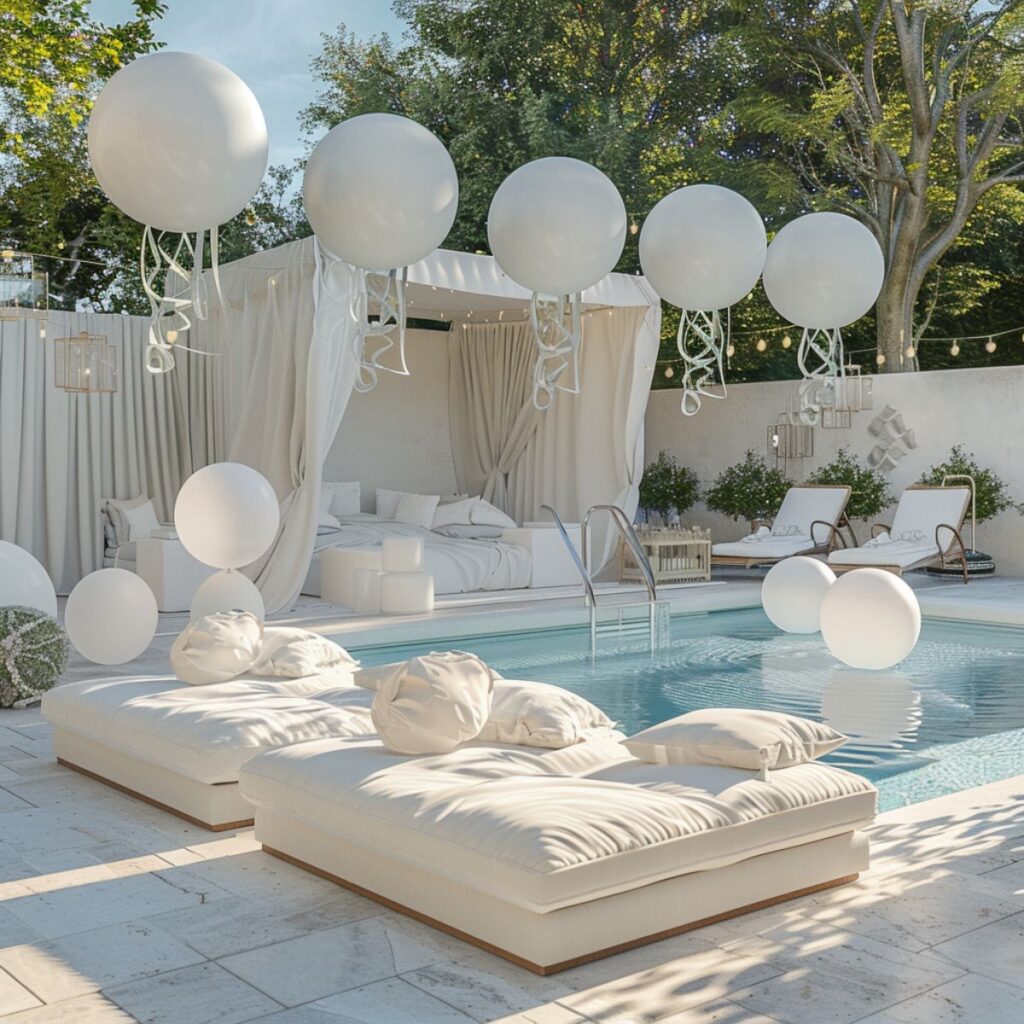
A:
[62, 453]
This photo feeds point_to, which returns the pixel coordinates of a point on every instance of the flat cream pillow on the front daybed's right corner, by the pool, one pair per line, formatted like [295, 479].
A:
[735, 738]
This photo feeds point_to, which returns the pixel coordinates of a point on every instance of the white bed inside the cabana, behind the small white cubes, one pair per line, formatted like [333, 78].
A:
[459, 567]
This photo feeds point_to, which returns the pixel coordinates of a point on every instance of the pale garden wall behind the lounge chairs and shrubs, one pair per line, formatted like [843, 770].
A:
[982, 409]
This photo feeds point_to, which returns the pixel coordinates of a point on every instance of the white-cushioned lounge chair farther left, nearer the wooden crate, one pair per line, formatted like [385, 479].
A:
[810, 522]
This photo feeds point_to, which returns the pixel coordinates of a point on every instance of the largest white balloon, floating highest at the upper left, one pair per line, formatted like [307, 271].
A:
[179, 142]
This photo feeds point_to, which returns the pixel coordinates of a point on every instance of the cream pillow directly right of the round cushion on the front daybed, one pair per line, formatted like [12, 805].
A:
[541, 715]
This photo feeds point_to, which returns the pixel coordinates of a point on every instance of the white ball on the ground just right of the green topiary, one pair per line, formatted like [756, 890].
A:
[111, 617]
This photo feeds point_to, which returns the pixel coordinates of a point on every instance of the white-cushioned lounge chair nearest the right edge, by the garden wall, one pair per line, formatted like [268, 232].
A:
[926, 529]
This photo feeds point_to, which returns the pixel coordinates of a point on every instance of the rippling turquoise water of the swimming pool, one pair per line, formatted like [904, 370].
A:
[949, 718]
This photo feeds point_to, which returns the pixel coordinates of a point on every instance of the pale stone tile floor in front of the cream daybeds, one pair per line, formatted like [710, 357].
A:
[114, 912]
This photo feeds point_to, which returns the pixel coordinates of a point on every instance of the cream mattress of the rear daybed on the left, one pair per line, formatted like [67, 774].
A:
[207, 733]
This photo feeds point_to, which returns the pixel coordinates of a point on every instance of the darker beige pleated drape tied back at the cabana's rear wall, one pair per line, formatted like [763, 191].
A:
[493, 417]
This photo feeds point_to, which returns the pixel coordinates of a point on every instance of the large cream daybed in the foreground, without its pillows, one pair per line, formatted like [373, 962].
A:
[554, 858]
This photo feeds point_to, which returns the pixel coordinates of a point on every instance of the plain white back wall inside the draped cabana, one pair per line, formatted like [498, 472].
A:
[397, 436]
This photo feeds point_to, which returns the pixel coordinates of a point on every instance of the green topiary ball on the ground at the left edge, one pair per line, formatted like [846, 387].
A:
[33, 654]
